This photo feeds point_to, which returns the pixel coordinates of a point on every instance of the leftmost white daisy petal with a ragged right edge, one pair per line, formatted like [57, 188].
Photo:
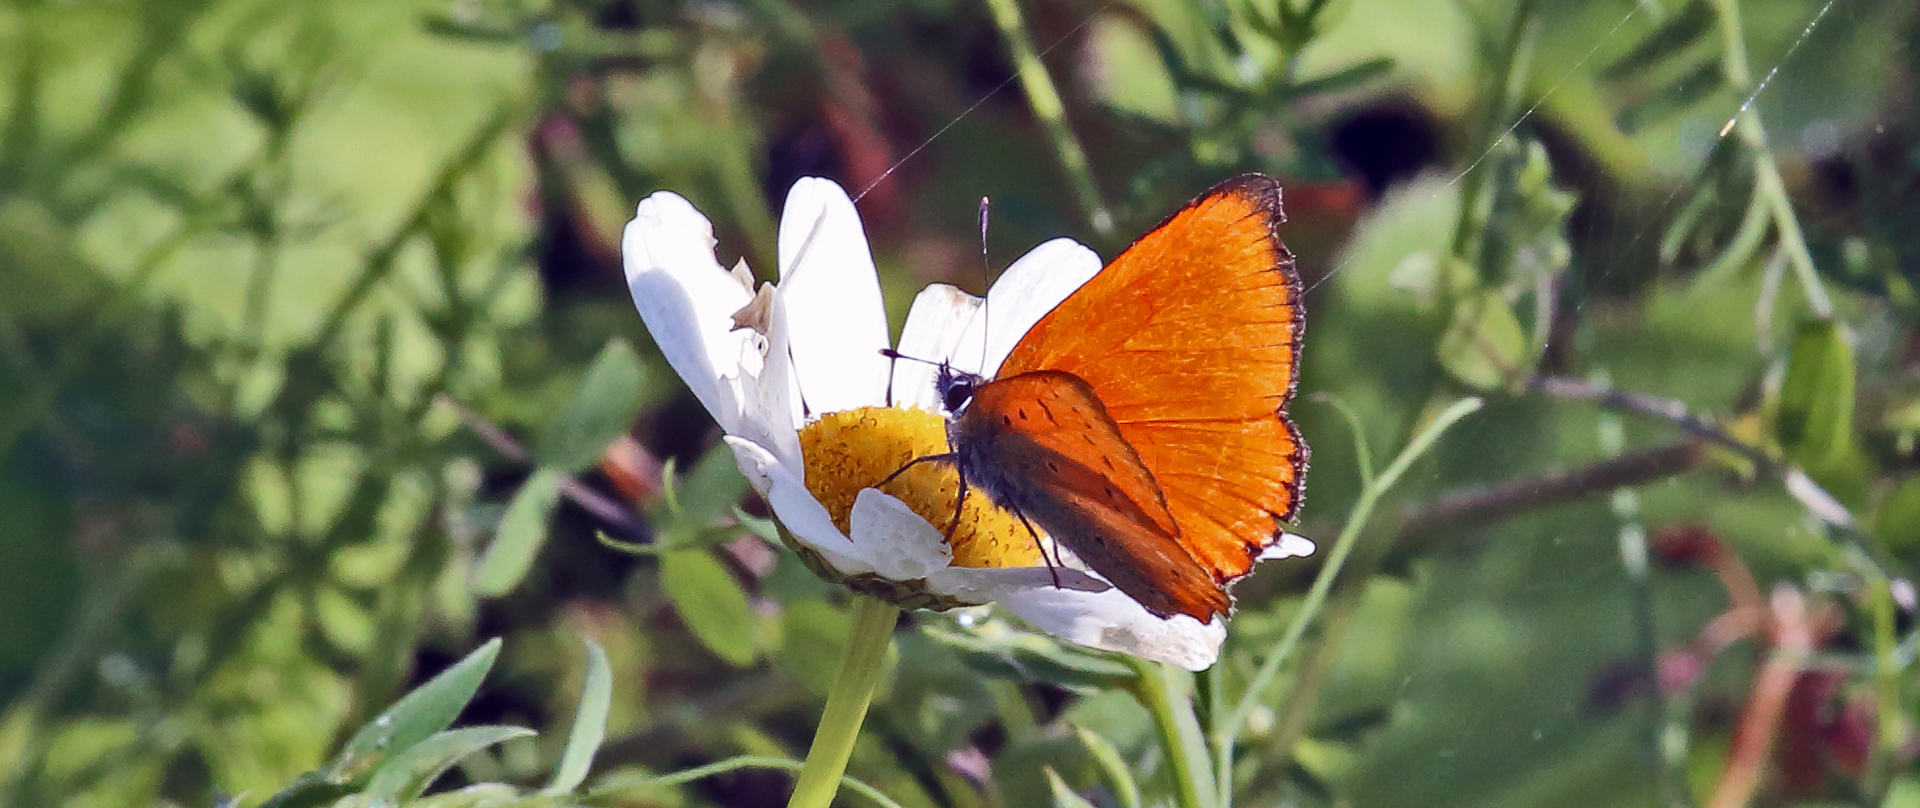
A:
[688, 302]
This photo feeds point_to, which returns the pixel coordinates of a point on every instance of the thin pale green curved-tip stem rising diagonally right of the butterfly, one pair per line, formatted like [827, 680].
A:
[1343, 548]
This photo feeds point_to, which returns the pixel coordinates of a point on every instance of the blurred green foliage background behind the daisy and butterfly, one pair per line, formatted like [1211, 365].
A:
[318, 371]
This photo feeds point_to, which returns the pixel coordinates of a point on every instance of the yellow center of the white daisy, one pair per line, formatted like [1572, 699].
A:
[853, 450]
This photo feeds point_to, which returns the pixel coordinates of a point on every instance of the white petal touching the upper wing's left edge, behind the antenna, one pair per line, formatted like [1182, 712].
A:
[1026, 293]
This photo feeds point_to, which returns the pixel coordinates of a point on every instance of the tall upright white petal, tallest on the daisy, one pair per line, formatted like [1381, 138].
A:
[836, 318]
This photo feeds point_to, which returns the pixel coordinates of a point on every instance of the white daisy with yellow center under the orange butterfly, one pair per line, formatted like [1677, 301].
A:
[817, 416]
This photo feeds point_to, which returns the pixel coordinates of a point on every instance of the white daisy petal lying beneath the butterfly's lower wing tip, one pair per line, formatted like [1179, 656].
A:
[1111, 621]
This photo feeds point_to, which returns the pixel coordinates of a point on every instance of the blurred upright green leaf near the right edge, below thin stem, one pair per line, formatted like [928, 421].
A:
[1815, 419]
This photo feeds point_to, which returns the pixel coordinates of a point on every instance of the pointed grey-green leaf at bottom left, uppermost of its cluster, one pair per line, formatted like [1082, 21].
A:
[416, 717]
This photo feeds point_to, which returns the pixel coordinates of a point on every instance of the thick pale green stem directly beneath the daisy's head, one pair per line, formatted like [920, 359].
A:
[853, 692]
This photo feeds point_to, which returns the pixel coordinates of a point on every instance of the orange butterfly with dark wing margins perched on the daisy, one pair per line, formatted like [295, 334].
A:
[1143, 421]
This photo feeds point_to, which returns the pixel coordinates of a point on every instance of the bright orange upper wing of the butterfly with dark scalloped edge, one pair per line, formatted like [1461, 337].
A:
[1191, 341]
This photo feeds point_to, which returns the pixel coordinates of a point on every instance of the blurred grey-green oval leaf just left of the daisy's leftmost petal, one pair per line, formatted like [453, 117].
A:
[600, 412]
